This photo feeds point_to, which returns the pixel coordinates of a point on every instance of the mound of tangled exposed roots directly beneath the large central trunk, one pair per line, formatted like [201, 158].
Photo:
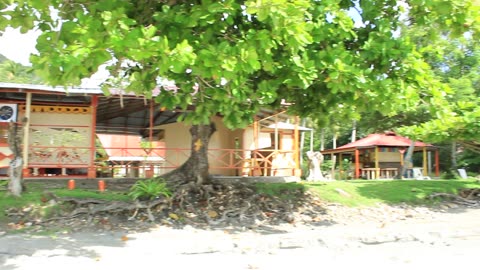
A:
[237, 204]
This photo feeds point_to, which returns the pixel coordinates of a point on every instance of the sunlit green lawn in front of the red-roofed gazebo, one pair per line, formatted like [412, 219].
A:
[371, 192]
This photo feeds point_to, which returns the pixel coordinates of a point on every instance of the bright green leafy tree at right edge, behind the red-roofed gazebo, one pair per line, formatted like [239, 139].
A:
[456, 63]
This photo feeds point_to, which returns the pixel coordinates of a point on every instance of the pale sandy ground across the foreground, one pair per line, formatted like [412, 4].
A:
[444, 240]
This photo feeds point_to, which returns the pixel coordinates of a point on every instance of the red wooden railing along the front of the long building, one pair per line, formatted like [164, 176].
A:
[146, 162]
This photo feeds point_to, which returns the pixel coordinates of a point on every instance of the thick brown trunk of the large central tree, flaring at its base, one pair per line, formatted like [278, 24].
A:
[195, 169]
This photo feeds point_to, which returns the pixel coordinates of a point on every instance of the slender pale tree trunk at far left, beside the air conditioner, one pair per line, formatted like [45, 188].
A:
[15, 186]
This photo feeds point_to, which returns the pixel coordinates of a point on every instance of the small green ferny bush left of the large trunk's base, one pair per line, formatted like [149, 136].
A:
[149, 189]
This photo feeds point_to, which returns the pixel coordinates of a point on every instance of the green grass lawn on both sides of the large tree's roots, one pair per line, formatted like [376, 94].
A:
[360, 192]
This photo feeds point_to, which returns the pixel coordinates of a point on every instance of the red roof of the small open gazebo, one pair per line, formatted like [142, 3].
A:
[386, 139]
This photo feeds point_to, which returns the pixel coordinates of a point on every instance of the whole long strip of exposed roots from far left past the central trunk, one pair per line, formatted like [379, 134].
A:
[216, 204]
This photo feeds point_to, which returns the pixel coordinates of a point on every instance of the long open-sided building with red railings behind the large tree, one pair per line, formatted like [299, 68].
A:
[79, 132]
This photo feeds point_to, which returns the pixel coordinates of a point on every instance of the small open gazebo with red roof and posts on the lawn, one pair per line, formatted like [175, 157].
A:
[382, 155]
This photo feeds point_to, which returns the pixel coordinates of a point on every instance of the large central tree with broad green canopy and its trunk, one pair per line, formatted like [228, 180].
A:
[230, 57]
